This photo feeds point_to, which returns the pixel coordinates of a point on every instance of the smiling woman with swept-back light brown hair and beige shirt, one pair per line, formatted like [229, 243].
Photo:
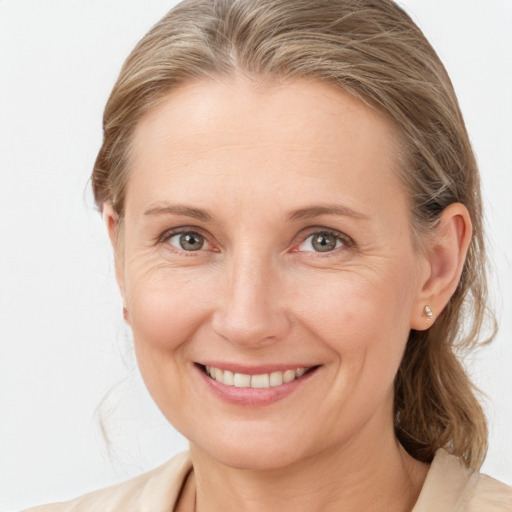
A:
[295, 211]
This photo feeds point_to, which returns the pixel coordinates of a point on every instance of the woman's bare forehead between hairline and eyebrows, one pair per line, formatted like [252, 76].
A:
[302, 135]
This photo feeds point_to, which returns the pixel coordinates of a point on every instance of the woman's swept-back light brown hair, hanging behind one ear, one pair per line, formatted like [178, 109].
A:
[374, 51]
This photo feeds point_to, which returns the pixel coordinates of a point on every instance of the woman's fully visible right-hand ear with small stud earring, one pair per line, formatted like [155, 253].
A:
[445, 253]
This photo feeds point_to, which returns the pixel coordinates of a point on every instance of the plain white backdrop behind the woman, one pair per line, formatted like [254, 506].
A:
[63, 344]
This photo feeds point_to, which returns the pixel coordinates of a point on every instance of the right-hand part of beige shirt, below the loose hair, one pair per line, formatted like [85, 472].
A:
[452, 487]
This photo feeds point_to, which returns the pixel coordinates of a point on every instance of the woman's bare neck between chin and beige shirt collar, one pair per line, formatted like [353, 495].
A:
[356, 476]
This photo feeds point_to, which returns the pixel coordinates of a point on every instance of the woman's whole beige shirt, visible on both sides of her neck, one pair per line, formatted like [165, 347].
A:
[449, 487]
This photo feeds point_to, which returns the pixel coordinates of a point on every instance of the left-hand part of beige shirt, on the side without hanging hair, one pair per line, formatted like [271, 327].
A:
[155, 491]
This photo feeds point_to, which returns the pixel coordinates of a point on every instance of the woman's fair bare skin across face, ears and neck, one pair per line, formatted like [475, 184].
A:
[258, 293]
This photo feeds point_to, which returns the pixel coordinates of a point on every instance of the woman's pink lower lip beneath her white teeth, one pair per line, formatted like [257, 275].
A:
[254, 397]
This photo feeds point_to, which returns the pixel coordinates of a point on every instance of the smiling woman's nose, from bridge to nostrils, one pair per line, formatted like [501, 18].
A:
[250, 310]
